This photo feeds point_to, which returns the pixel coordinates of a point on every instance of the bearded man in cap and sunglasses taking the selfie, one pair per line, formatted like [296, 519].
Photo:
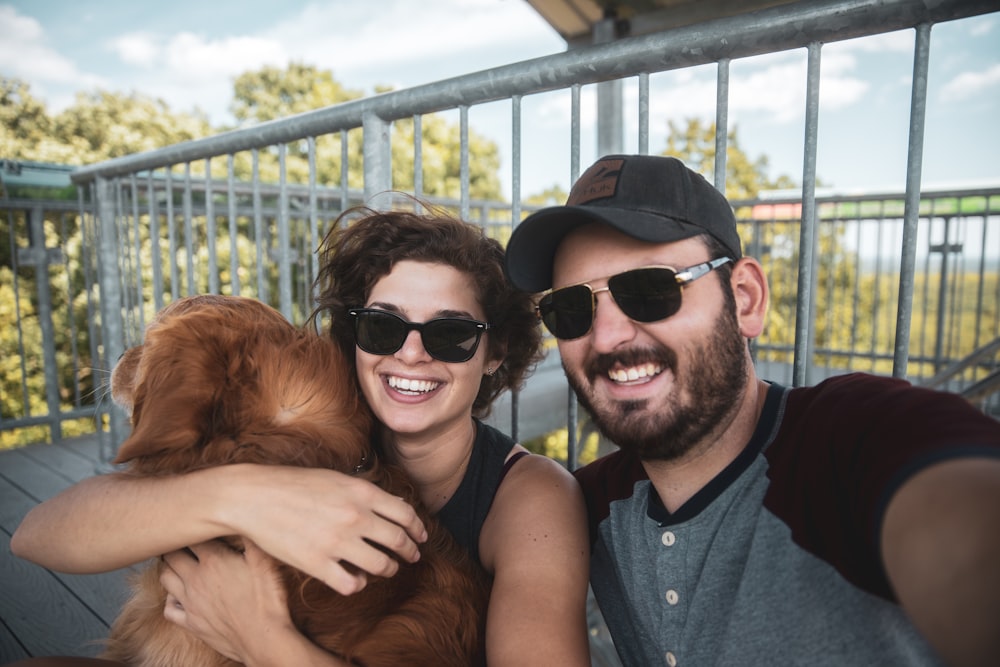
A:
[741, 522]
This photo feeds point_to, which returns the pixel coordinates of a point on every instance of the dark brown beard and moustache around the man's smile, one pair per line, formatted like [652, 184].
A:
[715, 381]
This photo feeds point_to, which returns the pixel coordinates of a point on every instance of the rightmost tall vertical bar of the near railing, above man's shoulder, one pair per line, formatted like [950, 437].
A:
[911, 207]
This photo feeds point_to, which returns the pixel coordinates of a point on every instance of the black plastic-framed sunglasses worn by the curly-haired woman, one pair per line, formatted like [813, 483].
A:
[451, 339]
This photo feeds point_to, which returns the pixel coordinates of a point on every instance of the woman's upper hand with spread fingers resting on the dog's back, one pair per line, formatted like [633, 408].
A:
[315, 520]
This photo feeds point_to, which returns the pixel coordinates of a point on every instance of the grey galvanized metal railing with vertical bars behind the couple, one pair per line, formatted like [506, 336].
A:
[198, 216]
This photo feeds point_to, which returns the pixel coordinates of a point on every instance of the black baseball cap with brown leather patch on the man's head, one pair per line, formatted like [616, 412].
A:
[650, 198]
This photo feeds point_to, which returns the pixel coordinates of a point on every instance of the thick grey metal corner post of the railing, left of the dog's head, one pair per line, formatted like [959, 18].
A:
[112, 329]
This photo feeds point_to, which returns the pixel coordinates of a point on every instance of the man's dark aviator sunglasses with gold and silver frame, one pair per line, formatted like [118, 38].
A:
[647, 294]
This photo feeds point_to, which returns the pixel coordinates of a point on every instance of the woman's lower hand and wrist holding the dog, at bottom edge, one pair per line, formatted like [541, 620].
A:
[235, 604]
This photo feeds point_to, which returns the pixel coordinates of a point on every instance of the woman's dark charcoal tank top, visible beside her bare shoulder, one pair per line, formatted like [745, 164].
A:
[463, 515]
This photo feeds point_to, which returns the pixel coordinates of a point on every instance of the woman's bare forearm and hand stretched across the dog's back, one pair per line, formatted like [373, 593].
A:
[309, 518]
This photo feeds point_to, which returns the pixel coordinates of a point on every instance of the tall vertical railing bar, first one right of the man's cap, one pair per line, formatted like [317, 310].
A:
[806, 306]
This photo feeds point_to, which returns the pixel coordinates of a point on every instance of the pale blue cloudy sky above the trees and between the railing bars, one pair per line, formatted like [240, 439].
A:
[188, 52]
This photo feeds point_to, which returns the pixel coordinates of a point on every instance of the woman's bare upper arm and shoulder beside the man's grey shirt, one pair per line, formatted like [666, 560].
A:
[535, 543]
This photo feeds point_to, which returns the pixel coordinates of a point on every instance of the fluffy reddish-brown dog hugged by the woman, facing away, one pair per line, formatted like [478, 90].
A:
[223, 380]
